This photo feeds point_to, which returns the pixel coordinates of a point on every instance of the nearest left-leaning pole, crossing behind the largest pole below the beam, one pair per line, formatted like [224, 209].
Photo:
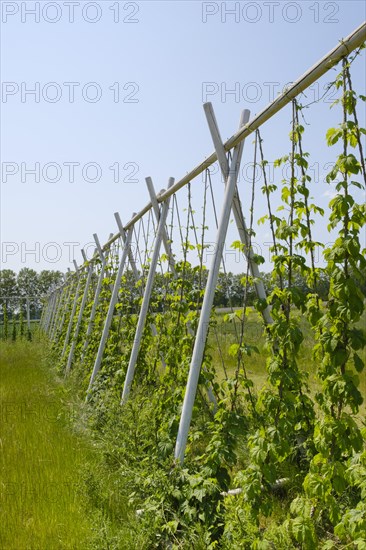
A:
[237, 210]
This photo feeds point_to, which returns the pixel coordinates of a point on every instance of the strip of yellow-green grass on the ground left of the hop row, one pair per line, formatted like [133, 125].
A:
[42, 506]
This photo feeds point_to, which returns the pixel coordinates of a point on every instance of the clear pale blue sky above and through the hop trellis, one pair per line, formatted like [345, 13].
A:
[118, 89]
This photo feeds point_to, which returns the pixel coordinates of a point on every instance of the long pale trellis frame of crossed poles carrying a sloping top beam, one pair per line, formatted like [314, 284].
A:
[71, 310]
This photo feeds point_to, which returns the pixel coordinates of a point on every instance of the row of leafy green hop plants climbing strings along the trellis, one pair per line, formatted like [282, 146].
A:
[298, 460]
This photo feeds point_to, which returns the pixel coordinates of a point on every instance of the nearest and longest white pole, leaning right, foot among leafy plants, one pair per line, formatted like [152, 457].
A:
[203, 325]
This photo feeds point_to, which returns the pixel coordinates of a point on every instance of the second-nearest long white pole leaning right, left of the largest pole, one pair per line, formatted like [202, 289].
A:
[146, 299]
